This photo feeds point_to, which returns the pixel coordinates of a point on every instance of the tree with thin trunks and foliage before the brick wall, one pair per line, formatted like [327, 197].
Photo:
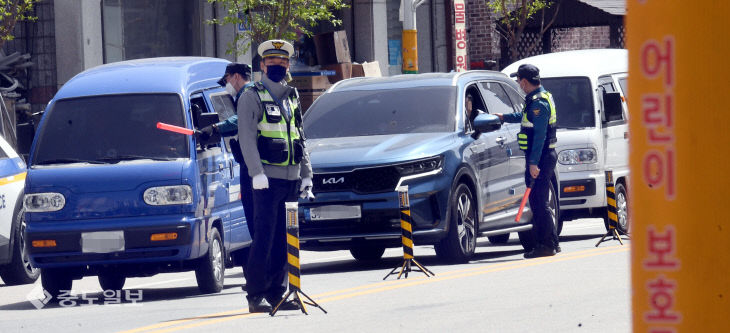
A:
[514, 16]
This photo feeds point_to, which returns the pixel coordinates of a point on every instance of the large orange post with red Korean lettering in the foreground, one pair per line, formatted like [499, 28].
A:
[679, 165]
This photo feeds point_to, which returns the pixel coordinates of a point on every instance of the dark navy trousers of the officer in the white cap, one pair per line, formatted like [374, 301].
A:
[266, 269]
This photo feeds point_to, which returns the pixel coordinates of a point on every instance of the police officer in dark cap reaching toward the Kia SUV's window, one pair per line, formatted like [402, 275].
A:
[537, 139]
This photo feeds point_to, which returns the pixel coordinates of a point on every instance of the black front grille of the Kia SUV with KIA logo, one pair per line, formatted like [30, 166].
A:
[361, 181]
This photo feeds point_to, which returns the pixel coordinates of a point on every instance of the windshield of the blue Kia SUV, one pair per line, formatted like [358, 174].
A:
[381, 112]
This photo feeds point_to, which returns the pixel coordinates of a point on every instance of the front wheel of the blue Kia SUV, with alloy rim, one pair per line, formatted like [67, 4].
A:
[460, 242]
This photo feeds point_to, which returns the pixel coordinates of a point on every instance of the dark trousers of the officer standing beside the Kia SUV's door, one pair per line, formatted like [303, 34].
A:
[542, 222]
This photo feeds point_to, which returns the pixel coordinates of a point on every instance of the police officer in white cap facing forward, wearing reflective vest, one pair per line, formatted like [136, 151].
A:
[272, 142]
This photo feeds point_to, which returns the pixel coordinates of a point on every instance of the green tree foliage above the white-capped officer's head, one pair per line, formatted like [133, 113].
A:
[275, 19]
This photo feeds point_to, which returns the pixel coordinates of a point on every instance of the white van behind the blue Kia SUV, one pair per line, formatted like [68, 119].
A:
[589, 89]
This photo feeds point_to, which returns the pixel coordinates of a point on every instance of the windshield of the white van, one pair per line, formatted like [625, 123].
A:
[573, 101]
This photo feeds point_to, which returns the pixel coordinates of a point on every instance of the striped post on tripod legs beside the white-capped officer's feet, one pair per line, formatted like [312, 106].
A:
[292, 255]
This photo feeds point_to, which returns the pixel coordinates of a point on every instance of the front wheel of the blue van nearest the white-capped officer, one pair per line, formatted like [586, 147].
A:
[211, 271]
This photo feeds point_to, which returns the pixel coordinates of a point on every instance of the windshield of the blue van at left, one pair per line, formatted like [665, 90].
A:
[111, 129]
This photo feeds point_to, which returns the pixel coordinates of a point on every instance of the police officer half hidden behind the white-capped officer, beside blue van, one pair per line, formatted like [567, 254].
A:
[236, 80]
